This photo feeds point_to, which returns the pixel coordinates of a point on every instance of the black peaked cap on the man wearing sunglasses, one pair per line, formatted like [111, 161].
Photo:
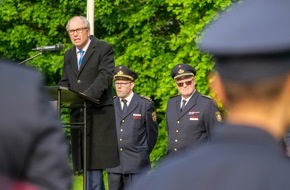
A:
[182, 71]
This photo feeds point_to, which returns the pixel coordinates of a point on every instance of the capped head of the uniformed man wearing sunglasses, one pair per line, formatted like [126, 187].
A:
[183, 74]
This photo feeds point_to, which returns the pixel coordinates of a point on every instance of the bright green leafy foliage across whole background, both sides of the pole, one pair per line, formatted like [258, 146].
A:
[149, 36]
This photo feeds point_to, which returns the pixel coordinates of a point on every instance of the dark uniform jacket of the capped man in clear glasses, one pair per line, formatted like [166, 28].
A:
[137, 133]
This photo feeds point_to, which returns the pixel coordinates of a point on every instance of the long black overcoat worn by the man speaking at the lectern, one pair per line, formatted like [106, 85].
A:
[94, 79]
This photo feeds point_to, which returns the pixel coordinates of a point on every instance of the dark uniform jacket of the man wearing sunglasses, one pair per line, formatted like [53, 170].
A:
[191, 126]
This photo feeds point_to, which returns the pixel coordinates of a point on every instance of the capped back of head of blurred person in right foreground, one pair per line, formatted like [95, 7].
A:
[251, 46]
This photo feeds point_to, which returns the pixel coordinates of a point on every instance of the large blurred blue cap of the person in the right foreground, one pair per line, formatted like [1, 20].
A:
[251, 40]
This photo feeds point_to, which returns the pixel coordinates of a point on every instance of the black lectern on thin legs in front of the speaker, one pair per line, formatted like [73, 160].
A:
[64, 96]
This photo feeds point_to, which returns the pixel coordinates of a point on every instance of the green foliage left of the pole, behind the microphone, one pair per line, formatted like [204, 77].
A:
[28, 24]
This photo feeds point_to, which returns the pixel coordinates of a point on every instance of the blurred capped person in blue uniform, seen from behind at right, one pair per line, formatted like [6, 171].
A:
[251, 45]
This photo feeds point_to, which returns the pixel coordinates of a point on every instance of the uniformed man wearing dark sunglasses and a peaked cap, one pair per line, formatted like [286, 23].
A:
[190, 116]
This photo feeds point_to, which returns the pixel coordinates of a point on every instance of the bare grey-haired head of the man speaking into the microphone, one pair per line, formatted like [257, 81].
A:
[78, 29]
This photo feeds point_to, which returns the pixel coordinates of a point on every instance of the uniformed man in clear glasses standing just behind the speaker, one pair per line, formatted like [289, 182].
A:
[136, 130]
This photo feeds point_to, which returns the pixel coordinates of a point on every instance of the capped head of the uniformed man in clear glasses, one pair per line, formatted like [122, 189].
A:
[124, 81]
